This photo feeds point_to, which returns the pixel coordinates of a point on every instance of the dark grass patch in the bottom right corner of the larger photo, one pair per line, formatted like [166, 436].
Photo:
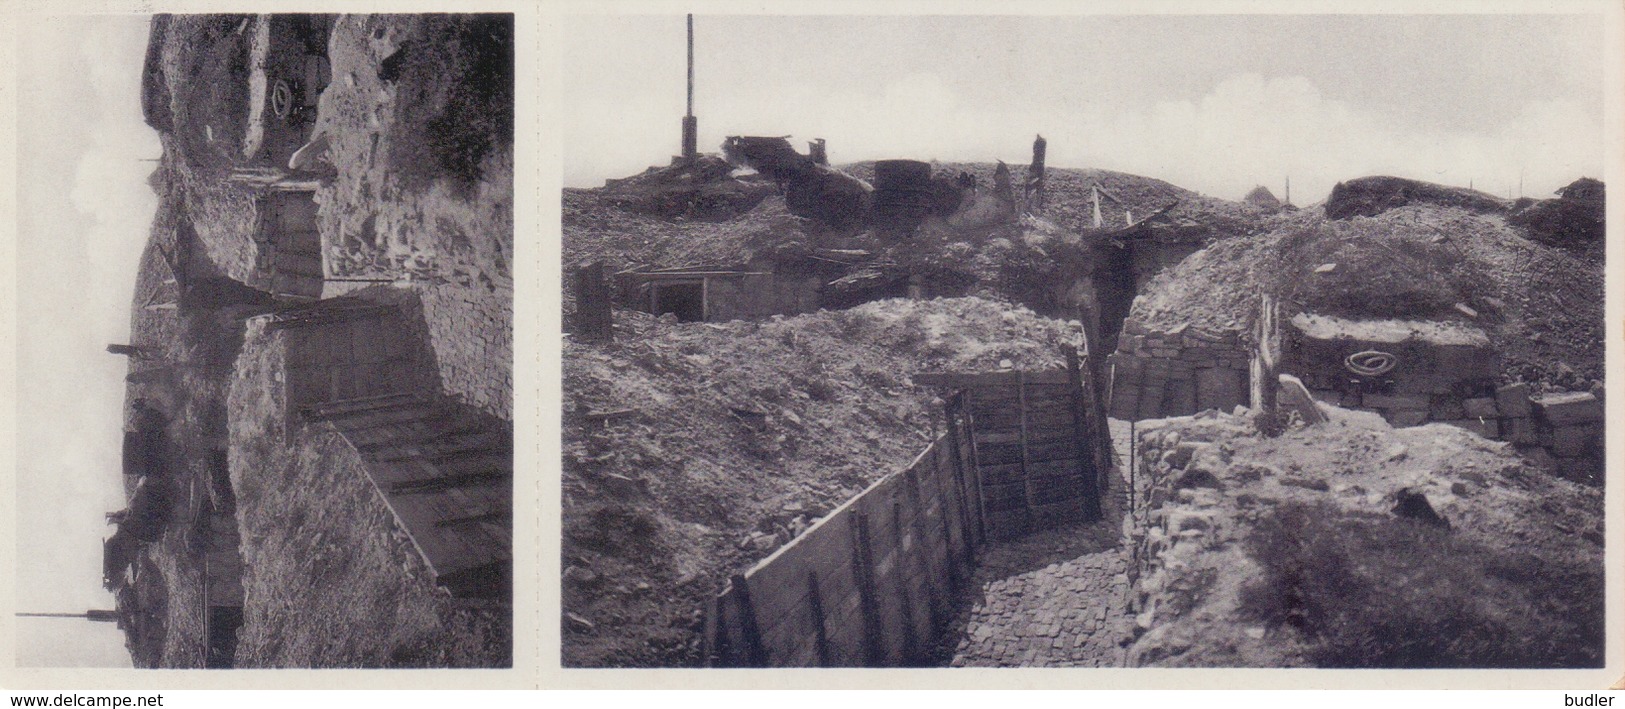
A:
[1387, 593]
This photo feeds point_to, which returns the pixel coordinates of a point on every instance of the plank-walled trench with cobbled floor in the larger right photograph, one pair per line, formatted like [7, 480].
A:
[999, 547]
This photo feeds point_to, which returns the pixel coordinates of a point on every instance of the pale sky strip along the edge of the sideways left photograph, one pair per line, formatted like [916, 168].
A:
[85, 212]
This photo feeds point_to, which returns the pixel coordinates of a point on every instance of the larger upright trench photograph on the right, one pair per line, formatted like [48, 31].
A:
[1083, 341]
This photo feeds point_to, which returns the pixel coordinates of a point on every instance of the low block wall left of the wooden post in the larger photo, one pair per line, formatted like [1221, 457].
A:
[1177, 372]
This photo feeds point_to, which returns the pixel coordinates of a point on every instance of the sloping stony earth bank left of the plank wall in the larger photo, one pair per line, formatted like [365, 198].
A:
[695, 450]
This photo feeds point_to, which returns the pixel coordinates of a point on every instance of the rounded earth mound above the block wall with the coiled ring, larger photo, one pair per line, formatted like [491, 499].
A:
[1541, 307]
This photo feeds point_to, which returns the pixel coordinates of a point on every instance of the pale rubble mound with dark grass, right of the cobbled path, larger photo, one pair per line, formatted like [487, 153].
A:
[1296, 557]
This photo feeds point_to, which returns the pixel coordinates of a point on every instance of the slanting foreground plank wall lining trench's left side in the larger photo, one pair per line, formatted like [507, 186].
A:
[872, 585]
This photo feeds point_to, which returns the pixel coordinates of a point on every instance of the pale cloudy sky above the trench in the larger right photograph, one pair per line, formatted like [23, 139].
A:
[1216, 105]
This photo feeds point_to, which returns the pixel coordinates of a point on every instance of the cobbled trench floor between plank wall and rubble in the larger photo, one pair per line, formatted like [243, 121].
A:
[1054, 599]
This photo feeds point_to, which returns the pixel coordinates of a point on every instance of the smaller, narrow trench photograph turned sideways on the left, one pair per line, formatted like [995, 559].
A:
[266, 342]
